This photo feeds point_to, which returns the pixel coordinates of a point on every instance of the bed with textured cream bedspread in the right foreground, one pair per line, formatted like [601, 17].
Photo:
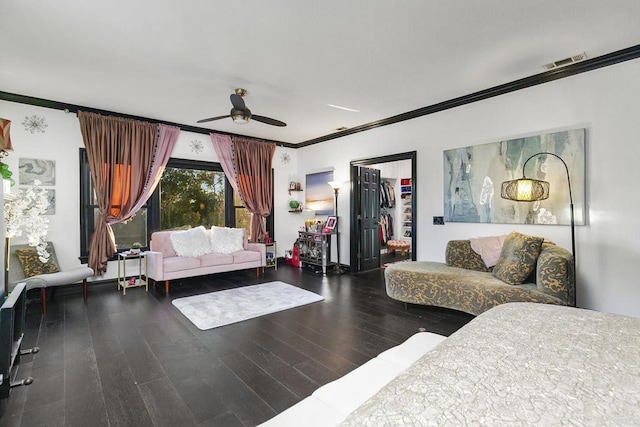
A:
[516, 364]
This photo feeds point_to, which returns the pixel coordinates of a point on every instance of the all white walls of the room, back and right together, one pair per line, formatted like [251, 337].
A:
[605, 101]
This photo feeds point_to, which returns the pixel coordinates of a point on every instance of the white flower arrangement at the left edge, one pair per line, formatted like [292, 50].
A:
[25, 211]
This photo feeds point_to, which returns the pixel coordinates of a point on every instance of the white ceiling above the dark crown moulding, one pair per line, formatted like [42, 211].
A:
[179, 61]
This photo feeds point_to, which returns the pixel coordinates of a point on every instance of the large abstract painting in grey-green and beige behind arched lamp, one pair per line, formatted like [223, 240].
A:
[473, 177]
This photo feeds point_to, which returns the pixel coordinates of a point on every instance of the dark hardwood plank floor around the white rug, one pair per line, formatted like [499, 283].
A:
[135, 360]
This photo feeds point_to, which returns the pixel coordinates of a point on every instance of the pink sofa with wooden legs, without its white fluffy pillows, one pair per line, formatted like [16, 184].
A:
[165, 265]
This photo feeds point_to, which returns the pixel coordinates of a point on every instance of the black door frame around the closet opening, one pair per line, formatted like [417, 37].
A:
[355, 210]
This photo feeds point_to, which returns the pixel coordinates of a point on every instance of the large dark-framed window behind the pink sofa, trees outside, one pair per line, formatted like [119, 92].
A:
[190, 193]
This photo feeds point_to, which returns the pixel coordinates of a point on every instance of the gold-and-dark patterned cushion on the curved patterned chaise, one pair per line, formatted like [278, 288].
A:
[518, 258]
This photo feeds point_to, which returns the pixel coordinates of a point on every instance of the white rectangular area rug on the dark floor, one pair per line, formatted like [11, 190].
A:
[235, 305]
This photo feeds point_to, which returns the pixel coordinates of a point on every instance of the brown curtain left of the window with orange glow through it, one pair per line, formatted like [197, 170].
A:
[120, 153]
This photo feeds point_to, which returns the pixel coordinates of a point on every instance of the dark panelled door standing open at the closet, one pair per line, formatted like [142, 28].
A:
[369, 191]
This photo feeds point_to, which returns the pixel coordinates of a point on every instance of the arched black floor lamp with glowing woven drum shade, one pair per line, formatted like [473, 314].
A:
[531, 190]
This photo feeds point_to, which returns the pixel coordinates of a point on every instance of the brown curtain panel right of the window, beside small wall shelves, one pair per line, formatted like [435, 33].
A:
[252, 160]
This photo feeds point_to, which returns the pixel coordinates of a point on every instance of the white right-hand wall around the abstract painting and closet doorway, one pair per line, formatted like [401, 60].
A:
[606, 102]
